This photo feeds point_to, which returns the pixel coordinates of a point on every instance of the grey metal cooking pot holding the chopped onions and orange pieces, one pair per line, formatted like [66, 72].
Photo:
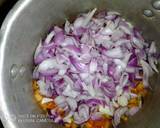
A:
[29, 21]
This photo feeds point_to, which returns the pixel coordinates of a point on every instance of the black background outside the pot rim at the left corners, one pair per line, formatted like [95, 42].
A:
[5, 6]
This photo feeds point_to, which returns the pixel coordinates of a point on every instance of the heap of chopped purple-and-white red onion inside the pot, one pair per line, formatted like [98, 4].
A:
[88, 67]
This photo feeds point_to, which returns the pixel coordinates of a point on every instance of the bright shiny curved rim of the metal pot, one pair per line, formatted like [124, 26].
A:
[5, 113]
